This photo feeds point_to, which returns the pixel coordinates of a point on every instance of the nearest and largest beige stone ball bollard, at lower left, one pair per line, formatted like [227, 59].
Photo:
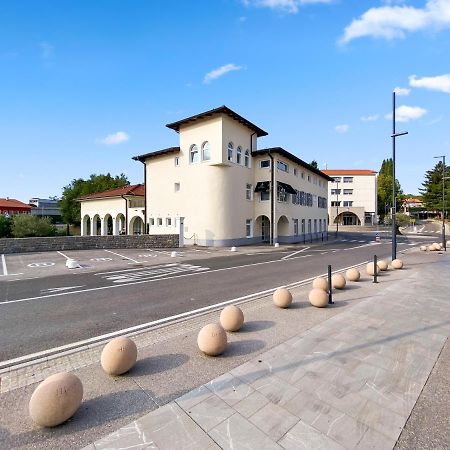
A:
[56, 399]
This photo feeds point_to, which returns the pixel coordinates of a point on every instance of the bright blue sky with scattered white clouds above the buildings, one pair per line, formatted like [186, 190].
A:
[85, 85]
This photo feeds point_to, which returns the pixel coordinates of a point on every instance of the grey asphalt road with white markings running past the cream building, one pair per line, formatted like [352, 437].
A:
[51, 311]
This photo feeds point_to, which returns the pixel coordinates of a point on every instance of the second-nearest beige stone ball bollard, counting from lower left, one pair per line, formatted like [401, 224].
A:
[118, 356]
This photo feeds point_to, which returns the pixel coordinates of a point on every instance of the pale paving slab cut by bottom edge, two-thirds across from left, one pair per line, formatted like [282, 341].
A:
[305, 437]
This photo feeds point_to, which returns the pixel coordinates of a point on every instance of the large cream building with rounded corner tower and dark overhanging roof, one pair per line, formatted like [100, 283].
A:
[218, 189]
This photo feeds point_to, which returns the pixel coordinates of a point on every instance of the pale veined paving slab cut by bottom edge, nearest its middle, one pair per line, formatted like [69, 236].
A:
[237, 433]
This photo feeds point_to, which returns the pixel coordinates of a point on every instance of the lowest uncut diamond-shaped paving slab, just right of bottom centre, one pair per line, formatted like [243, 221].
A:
[273, 420]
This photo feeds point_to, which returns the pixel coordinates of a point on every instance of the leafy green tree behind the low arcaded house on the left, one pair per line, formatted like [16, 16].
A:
[70, 207]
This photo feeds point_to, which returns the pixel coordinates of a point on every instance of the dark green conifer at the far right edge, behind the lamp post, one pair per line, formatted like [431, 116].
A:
[432, 188]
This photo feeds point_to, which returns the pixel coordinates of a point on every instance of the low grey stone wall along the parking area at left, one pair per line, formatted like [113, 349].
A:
[46, 244]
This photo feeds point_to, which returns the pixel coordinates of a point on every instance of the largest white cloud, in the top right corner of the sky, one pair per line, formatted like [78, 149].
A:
[391, 22]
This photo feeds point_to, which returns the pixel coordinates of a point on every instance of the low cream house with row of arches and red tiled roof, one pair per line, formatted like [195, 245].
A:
[113, 212]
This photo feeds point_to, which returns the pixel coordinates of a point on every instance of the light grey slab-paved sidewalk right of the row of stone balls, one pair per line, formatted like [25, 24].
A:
[349, 382]
